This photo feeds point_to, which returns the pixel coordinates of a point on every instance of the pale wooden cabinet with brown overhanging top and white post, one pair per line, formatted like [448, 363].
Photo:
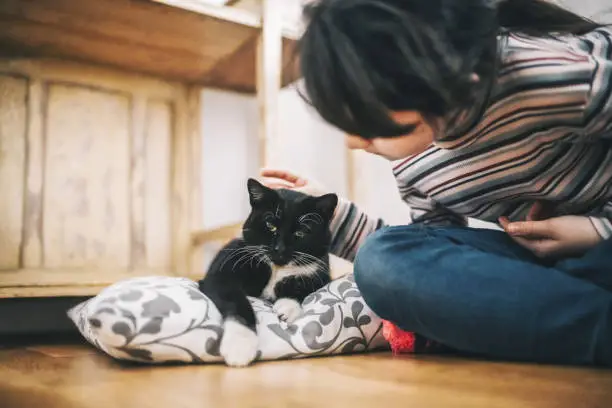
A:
[100, 137]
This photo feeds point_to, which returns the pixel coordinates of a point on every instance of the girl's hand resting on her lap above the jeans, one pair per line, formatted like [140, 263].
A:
[554, 237]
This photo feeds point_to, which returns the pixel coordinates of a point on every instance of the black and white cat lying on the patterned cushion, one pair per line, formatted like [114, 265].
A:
[282, 257]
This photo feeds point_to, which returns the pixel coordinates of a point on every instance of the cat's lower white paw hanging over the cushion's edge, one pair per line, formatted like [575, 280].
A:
[239, 344]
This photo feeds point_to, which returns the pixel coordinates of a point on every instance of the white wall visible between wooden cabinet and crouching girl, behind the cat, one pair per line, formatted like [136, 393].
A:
[309, 147]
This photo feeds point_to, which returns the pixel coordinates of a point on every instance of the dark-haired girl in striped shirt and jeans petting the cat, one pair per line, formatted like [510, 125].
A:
[495, 110]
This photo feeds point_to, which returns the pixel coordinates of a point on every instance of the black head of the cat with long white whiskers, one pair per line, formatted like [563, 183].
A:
[288, 225]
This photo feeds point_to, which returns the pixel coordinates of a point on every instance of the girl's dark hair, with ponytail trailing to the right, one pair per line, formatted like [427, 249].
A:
[362, 59]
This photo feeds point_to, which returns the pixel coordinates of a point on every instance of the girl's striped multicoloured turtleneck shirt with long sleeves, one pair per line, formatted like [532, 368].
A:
[543, 134]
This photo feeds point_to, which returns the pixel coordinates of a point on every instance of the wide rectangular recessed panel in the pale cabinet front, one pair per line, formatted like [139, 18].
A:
[86, 204]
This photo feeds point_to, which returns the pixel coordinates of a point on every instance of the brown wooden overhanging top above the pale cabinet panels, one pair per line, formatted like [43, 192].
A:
[181, 40]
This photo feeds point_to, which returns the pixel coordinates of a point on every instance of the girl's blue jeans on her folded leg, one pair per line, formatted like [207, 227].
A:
[478, 292]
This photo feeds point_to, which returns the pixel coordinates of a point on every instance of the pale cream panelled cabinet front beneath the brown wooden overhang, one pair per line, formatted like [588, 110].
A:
[98, 176]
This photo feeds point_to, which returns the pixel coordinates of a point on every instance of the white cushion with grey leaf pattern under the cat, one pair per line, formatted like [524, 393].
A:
[167, 319]
